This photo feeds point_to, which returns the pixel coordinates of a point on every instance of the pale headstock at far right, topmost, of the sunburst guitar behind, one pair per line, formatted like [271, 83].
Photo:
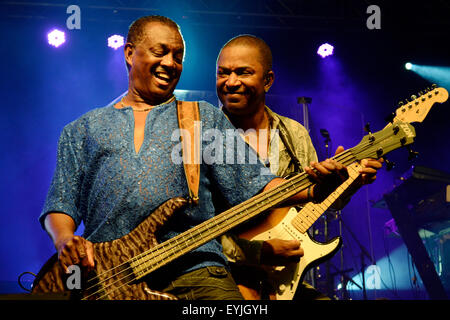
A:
[417, 109]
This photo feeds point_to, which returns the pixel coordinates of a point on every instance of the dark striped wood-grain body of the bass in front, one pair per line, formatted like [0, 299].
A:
[113, 276]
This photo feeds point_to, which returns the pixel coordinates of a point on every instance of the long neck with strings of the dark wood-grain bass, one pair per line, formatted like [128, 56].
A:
[187, 241]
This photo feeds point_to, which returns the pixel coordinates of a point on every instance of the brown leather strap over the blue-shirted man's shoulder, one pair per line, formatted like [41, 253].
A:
[189, 123]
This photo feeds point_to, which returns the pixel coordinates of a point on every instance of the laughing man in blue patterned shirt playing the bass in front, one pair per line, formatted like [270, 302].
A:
[115, 166]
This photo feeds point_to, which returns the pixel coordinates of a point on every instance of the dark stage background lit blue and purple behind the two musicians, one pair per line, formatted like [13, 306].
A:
[43, 88]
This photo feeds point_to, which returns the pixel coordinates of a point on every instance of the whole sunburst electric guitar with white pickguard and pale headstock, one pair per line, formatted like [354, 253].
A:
[289, 223]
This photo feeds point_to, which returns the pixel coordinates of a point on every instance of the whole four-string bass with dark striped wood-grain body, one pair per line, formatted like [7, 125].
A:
[122, 264]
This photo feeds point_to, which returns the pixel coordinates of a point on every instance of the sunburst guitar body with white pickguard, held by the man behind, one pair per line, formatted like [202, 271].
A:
[284, 280]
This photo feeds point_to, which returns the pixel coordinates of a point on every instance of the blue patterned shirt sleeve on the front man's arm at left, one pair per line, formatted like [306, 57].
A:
[64, 191]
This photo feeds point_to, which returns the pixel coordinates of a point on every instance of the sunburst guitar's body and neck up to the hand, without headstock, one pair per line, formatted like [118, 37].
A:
[290, 224]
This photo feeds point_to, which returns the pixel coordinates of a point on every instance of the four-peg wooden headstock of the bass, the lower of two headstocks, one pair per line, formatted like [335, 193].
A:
[376, 145]
